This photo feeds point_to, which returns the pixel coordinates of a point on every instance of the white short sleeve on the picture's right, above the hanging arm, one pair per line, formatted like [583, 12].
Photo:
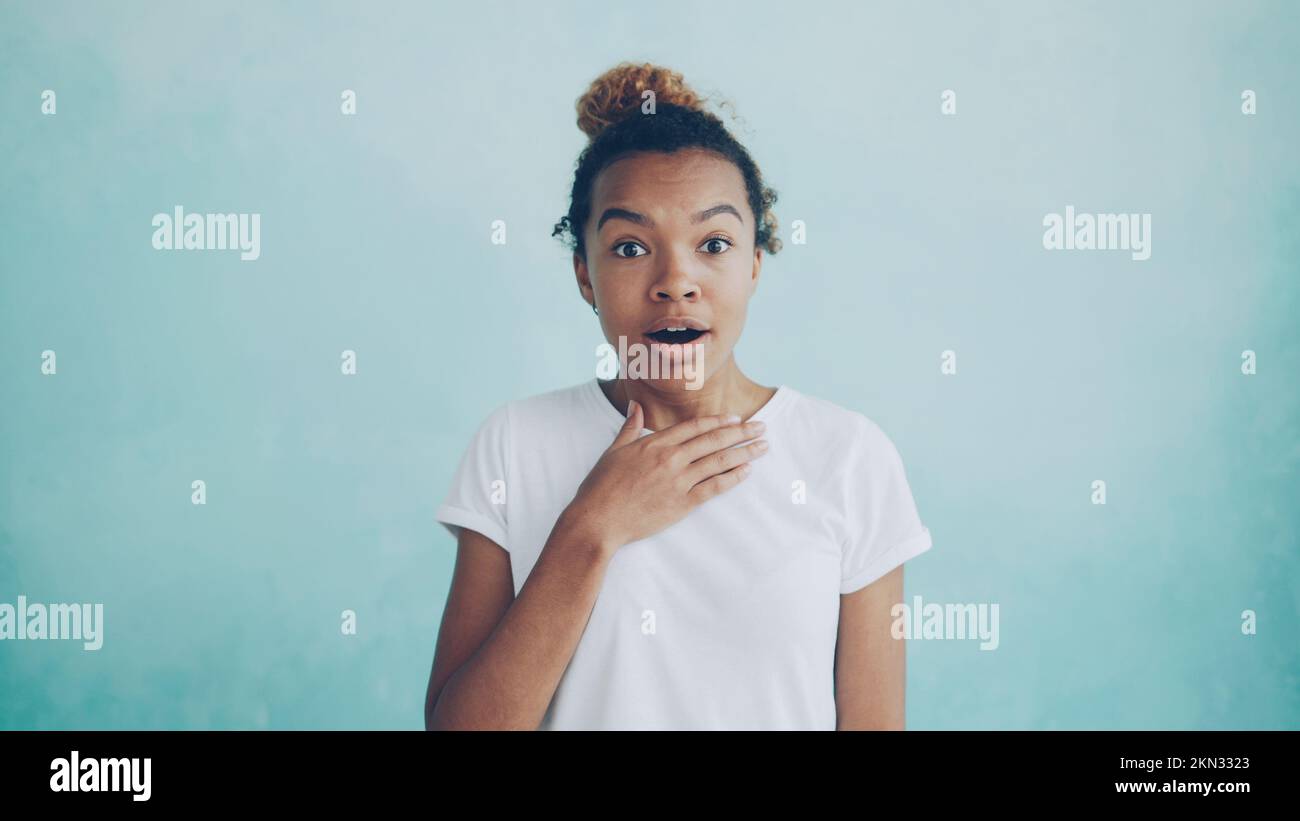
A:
[883, 528]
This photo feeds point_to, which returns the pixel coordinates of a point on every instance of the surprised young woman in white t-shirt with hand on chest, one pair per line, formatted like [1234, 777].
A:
[673, 550]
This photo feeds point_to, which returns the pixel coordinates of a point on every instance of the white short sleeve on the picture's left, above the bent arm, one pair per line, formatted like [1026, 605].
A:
[478, 497]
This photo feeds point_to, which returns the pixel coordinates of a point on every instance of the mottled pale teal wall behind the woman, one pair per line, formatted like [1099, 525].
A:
[925, 234]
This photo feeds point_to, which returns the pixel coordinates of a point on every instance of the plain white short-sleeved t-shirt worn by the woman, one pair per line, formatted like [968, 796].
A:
[729, 618]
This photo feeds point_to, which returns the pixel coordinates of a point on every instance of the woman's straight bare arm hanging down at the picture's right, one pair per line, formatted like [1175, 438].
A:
[870, 664]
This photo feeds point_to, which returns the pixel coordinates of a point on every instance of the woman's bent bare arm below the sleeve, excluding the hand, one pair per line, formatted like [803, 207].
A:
[500, 659]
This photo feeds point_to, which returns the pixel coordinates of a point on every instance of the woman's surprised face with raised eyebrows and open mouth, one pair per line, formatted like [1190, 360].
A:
[670, 241]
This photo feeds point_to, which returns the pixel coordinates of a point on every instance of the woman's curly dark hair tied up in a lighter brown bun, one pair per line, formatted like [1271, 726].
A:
[610, 114]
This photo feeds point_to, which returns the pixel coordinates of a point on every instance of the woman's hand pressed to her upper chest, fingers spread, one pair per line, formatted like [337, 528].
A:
[643, 485]
